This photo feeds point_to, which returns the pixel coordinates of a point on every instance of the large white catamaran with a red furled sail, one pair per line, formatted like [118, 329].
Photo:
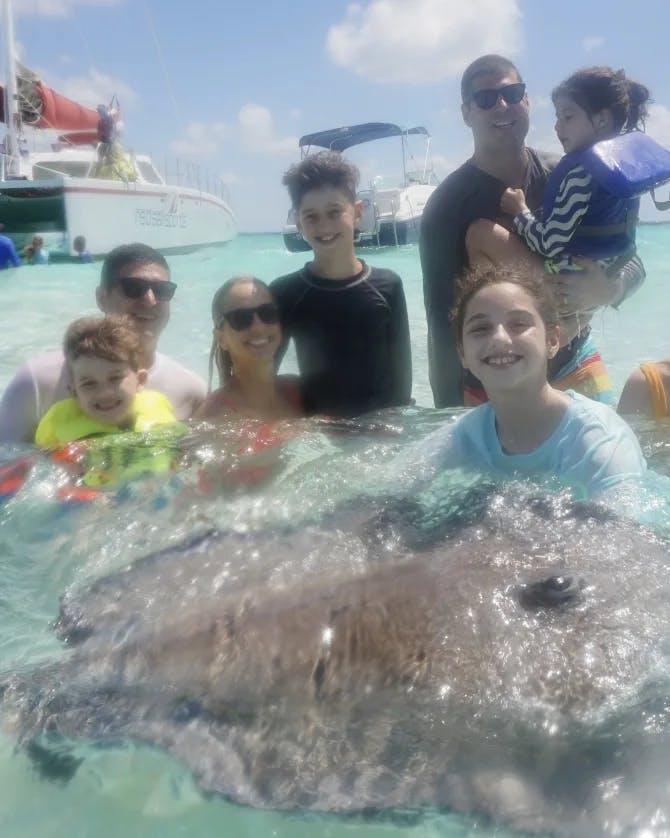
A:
[81, 186]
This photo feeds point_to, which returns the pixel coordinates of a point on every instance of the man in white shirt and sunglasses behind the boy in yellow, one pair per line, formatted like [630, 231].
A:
[135, 281]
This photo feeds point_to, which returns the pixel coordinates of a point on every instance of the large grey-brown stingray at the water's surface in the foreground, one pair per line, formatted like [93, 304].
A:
[514, 666]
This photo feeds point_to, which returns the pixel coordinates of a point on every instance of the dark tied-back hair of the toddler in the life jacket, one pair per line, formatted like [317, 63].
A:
[595, 89]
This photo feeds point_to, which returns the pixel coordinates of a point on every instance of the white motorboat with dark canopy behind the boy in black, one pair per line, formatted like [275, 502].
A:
[392, 205]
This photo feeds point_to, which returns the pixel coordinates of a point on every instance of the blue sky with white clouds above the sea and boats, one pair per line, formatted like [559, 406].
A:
[235, 83]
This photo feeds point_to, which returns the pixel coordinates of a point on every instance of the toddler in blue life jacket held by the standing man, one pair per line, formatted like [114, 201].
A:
[591, 199]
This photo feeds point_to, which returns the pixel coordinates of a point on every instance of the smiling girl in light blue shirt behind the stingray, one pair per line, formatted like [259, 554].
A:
[507, 329]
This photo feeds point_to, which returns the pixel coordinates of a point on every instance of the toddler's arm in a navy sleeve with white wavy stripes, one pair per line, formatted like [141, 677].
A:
[550, 236]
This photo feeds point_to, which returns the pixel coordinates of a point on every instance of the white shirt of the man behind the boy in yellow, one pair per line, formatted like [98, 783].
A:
[43, 380]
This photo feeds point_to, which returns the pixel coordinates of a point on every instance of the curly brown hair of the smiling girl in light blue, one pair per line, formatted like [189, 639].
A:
[532, 280]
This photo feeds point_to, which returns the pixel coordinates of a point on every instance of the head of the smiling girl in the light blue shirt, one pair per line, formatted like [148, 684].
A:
[507, 329]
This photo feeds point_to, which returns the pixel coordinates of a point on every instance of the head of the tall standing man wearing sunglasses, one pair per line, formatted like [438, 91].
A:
[495, 103]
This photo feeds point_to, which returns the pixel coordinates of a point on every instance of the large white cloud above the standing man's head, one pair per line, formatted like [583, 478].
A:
[423, 40]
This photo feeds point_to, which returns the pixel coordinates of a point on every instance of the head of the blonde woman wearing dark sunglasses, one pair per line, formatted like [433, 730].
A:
[247, 329]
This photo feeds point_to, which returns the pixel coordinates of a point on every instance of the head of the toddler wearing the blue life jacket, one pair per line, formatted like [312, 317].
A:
[597, 103]
